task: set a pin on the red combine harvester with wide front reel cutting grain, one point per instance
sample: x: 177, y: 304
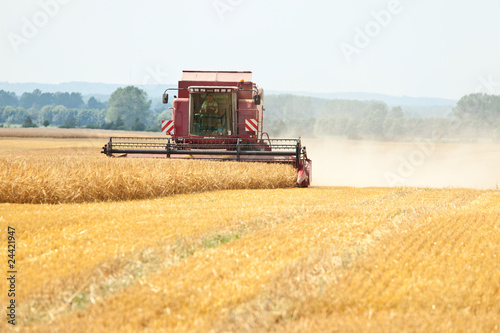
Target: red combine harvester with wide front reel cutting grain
x: 218, y: 116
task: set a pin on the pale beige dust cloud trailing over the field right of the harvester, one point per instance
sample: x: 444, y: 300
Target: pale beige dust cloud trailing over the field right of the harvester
x: 422, y: 164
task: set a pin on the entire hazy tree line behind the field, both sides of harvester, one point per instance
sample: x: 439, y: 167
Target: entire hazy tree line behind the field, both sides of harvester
x: 129, y: 108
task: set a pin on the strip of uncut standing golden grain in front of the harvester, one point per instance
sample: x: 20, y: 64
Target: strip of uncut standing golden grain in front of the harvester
x: 52, y: 178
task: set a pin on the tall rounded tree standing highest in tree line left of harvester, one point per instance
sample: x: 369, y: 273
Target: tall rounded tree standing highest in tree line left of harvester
x: 128, y: 103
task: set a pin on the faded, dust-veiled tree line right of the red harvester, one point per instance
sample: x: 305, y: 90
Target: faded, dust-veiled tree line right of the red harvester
x: 475, y: 116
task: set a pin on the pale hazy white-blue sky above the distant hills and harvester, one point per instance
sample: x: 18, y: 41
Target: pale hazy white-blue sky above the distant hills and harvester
x: 399, y: 47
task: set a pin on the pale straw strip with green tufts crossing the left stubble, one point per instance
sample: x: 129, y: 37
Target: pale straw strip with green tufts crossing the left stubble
x: 84, y: 288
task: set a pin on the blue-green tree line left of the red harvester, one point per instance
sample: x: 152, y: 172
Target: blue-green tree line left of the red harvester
x: 126, y: 109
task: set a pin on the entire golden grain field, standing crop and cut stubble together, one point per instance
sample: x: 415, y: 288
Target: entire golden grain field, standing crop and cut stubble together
x: 274, y: 258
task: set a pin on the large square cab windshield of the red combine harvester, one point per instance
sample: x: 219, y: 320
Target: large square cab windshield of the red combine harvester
x: 210, y: 114
